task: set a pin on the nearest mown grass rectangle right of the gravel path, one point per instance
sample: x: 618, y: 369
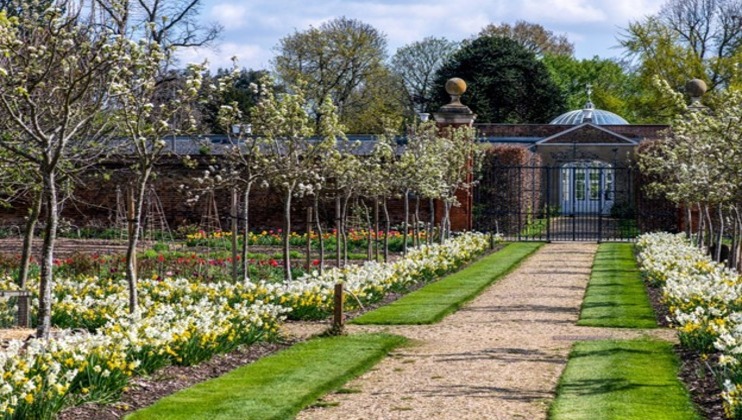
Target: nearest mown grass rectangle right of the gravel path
x: 622, y: 380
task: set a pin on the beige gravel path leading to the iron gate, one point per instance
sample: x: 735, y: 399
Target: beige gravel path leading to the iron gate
x: 498, y: 358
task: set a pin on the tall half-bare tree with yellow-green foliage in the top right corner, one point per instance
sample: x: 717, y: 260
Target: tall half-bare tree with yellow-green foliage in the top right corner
x: 686, y: 39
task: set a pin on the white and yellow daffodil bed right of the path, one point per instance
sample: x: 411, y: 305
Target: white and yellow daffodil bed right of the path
x: 705, y: 303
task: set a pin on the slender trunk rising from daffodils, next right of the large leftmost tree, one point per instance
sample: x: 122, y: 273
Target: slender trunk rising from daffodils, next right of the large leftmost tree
x: 136, y: 203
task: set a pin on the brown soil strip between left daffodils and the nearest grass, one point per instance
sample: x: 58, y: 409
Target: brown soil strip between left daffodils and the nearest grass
x: 145, y: 391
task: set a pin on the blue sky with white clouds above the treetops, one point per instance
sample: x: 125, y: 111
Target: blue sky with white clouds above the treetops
x: 253, y: 28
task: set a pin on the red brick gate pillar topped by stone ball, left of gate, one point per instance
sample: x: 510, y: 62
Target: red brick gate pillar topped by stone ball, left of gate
x: 454, y: 115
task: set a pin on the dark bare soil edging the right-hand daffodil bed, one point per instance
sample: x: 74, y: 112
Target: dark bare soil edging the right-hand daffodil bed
x: 694, y: 370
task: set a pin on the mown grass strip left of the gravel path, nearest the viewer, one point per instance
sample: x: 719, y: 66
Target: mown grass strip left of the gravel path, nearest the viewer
x: 277, y: 386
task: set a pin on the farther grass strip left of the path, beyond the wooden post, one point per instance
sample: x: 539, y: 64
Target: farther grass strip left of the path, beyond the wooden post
x: 436, y: 300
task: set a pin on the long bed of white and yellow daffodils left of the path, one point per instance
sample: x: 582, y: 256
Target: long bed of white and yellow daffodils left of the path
x: 183, y: 322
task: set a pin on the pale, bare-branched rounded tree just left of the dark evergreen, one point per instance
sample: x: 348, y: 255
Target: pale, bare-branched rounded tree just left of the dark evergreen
x: 417, y: 64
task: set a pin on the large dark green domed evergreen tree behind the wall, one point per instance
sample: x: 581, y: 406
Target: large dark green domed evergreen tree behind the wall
x: 506, y: 82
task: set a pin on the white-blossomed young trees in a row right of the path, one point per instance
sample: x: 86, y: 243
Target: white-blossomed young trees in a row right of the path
x: 699, y: 166
